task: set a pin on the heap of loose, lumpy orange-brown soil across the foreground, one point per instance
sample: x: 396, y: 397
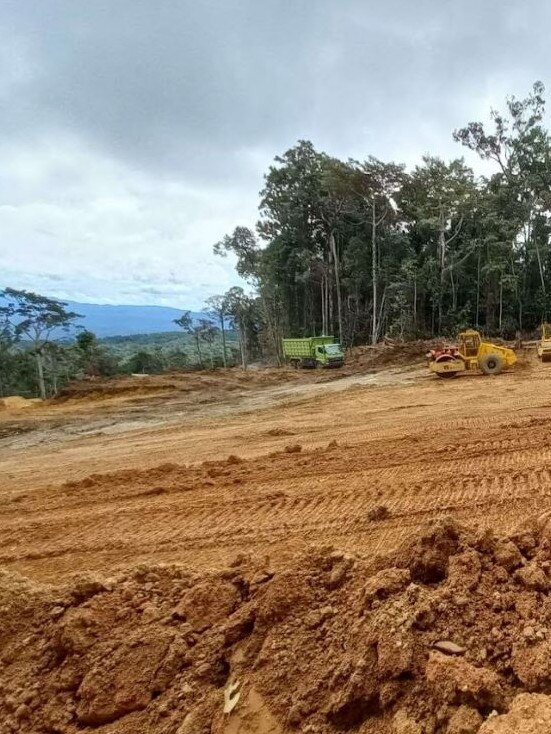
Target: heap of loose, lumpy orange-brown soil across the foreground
x: 448, y: 635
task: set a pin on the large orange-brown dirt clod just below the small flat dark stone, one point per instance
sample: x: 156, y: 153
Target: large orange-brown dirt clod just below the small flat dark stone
x: 455, y: 681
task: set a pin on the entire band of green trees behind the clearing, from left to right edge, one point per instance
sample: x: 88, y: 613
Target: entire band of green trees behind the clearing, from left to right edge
x: 356, y: 249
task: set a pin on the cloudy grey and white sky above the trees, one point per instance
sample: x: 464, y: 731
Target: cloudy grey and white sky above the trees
x: 134, y: 134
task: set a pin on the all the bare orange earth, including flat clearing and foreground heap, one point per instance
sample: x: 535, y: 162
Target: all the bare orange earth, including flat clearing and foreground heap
x: 275, y: 551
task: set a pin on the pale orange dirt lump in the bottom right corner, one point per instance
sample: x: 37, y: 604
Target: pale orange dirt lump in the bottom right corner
x: 530, y: 713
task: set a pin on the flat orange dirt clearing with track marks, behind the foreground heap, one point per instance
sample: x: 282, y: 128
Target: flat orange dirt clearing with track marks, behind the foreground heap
x: 308, y: 464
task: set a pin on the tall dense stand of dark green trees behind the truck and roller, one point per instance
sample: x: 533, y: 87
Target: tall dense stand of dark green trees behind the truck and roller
x: 362, y: 249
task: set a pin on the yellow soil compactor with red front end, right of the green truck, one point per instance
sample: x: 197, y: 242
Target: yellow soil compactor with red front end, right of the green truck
x: 471, y: 354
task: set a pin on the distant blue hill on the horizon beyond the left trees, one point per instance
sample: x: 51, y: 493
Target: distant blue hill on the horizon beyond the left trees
x: 106, y: 320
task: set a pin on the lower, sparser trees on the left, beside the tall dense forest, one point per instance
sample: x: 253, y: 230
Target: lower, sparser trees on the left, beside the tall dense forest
x: 42, y: 348
